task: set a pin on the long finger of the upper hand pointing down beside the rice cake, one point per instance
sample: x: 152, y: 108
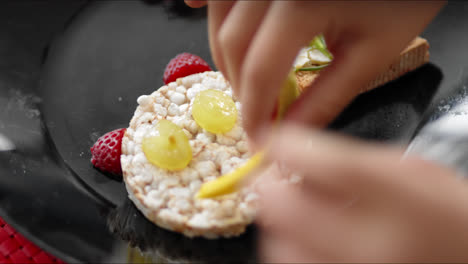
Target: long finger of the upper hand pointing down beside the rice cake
x: 269, y: 59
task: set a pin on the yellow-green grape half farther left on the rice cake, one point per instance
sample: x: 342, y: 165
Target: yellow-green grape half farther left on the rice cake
x: 169, y: 149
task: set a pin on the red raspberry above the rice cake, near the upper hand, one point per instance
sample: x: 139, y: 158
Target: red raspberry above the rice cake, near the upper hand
x: 183, y: 65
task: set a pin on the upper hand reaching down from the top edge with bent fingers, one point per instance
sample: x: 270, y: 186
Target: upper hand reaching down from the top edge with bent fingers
x: 254, y: 44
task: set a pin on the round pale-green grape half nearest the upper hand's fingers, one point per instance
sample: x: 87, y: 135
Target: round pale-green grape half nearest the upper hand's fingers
x: 214, y: 111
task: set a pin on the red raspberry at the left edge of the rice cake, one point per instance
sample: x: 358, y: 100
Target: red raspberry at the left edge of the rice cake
x: 106, y: 152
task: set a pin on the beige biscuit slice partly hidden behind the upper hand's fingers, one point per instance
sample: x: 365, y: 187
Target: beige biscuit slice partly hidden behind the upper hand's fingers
x: 412, y: 57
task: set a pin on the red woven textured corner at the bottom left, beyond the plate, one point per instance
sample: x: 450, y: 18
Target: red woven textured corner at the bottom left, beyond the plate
x: 15, y: 248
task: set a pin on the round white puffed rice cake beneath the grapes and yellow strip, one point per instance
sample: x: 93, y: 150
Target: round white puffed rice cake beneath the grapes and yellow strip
x: 167, y: 197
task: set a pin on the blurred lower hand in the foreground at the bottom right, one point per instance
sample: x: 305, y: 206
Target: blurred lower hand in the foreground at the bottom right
x: 361, y: 203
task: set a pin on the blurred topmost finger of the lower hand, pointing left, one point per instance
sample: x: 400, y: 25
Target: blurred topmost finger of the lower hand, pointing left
x: 334, y: 161
